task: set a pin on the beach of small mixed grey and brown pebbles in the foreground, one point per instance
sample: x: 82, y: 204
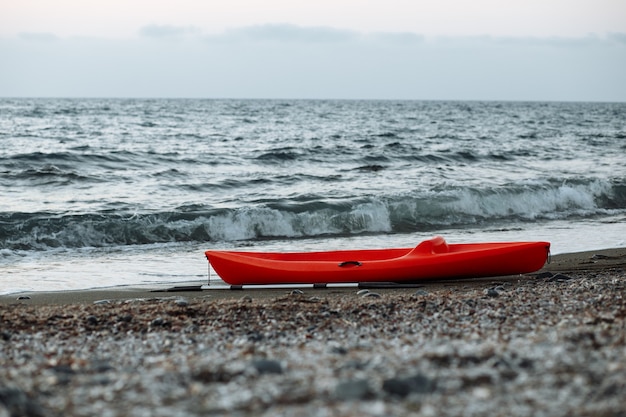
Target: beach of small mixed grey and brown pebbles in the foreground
x: 545, y: 344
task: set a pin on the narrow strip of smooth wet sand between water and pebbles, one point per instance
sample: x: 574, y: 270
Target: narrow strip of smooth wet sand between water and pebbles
x: 561, y: 263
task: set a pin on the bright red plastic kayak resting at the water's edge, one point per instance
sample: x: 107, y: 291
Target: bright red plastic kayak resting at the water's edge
x: 431, y: 259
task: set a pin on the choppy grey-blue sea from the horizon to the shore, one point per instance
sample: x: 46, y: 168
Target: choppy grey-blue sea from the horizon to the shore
x: 130, y: 192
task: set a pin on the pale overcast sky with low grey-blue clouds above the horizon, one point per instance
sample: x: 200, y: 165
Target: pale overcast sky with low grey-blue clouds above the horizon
x: 573, y: 50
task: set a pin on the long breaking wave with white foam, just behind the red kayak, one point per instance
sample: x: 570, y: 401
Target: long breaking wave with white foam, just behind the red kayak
x: 426, y: 211
